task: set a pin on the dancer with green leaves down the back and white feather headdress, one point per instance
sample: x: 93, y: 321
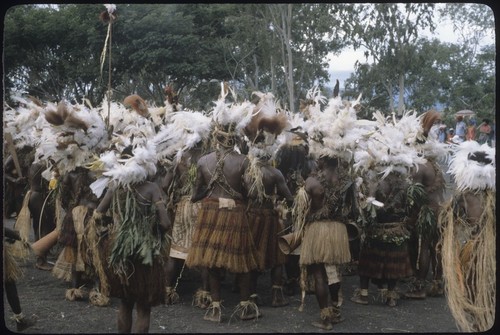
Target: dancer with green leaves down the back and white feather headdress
x: 129, y: 252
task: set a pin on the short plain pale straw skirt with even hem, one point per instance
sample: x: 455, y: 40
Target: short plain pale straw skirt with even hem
x: 325, y: 242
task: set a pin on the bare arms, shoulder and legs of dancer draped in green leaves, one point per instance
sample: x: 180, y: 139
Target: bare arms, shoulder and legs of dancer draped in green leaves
x: 151, y: 193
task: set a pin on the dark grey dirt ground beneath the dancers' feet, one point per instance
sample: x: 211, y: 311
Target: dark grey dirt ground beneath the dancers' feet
x: 42, y: 297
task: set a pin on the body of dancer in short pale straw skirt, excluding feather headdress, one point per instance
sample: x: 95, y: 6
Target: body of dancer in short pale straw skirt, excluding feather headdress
x: 325, y: 240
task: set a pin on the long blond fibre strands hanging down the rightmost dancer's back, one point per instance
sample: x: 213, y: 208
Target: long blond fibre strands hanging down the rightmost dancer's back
x: 469, y: 264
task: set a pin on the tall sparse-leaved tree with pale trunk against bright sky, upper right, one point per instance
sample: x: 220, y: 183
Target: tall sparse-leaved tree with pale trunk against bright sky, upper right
x: 389, y: 33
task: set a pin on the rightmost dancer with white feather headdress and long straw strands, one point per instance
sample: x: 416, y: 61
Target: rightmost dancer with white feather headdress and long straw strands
x: 468, y: 223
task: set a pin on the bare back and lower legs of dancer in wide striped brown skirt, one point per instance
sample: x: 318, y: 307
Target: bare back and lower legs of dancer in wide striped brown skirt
x: 235, y: 165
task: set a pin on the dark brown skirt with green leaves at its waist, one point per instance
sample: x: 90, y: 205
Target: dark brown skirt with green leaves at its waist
x: 385, y: 260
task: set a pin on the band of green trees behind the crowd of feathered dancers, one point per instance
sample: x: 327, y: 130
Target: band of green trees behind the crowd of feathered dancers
x: 54, y: 52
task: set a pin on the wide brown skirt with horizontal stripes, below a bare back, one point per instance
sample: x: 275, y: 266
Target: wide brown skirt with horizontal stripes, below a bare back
x: 222, y: 239
